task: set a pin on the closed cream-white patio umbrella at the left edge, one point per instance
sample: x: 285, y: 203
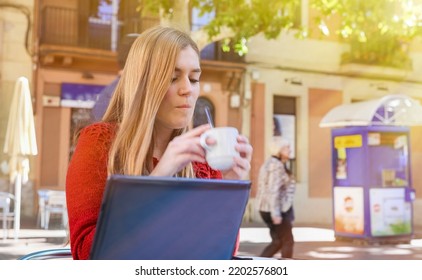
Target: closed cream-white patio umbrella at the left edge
x: 20, y: 142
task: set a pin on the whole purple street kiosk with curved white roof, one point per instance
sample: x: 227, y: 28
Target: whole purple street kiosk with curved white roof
x: 372, y: 184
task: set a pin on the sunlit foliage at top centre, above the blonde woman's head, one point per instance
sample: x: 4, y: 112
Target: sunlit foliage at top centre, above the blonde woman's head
x: 234, y: 21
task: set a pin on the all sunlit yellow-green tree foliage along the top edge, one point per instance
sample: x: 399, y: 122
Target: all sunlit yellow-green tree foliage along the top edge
x: 378, y: 31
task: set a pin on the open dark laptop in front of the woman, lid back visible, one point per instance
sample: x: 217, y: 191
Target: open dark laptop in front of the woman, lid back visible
x: 167, y: 218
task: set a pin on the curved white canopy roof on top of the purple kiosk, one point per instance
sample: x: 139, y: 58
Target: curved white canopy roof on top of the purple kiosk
x: 396, y: 110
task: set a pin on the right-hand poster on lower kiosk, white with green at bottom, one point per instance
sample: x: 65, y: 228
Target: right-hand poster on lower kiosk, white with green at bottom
x: 390, y: 213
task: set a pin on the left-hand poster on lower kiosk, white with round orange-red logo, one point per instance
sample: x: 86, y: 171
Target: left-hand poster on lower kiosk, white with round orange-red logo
x: 348, y: 210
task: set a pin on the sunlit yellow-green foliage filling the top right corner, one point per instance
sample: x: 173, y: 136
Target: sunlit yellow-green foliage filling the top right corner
x: 379, y: 31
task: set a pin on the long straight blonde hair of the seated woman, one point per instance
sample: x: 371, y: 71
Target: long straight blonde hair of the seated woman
x: 144, y: 82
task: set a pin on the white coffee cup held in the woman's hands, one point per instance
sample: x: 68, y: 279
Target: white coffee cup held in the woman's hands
x: 220, y: 155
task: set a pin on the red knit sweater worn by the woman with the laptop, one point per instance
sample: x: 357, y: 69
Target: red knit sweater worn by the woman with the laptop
x: 85, y: 182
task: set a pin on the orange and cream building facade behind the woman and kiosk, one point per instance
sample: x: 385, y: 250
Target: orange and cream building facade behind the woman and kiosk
x: 67, y: 50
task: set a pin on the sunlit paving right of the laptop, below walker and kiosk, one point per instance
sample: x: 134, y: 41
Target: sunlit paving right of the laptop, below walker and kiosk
x: 318, y: 242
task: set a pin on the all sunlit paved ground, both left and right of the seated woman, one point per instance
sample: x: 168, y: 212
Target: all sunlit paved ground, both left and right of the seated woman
x: 311, y: 242
